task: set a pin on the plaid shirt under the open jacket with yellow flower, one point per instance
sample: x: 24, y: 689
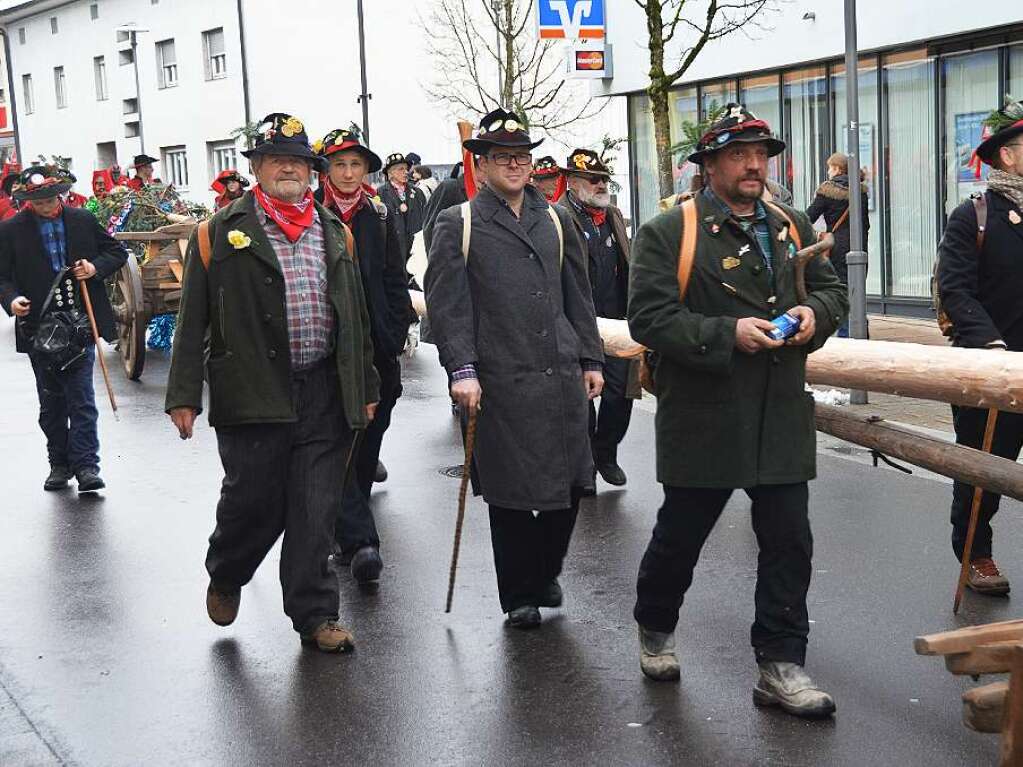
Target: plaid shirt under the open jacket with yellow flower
x: 310, y: 317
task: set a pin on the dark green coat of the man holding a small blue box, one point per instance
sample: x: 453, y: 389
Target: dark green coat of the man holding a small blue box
x: 727, y: 420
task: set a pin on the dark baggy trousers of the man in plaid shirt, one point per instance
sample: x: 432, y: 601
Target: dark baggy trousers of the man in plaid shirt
x: 285, y: 478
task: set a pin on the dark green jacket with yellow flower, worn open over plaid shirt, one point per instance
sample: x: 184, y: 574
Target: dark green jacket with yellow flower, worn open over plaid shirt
x: 233, y: 327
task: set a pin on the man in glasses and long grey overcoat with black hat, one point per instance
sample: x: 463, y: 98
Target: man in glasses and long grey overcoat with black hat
x: 515, y: 327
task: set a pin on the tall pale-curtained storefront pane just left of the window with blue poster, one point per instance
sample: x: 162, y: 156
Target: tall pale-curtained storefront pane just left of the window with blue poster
x: 910, y: 95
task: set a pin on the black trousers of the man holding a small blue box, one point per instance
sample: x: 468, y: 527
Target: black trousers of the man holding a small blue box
x: 783, y: 530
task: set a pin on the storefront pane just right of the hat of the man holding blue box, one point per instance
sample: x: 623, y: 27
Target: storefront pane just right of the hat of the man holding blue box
x: 807, y: 125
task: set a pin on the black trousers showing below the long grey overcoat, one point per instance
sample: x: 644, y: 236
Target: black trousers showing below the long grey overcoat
x: 529, y: 551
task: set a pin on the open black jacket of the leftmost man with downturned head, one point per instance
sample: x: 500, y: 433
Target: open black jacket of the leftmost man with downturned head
x: 25, y: 266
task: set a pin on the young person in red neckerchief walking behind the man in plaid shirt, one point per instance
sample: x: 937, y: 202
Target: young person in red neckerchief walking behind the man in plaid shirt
x: 344, y: 193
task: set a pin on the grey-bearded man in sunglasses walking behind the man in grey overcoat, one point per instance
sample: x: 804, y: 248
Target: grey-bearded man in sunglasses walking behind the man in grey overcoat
x: 603, y: 228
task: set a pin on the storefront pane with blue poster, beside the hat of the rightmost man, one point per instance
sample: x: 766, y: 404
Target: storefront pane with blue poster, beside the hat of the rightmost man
x: 971, y: 93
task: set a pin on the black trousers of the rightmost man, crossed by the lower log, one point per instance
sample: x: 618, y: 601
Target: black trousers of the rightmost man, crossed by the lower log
x: 1008, y: 440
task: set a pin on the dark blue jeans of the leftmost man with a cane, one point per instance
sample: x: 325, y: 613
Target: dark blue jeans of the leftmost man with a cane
x: 68, y: 413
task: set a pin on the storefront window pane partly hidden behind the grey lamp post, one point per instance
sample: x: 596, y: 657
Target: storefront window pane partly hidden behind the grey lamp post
x: 869, y: 142
